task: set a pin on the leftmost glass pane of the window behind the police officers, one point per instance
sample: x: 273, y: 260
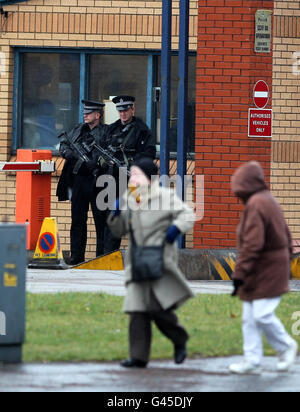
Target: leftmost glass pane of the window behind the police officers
x: 50, y: 98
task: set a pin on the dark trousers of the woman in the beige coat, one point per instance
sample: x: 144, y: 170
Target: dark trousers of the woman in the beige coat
x: 140, y: 332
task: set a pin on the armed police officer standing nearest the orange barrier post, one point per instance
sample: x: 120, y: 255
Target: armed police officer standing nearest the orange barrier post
x: 79, y: 175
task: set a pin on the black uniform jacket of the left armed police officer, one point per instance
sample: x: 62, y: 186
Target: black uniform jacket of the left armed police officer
x: 79, y: 132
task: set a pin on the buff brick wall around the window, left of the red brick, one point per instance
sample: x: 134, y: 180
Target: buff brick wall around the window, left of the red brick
x: 79, y: 24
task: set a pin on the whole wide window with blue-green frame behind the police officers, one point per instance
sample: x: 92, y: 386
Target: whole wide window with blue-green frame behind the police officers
x: 50, y: 84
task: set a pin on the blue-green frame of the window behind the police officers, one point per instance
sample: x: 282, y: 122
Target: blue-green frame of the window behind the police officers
x: 84, y: 53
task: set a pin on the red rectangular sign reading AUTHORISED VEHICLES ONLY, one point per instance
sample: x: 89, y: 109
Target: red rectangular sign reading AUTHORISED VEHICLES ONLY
x: 260, y: 123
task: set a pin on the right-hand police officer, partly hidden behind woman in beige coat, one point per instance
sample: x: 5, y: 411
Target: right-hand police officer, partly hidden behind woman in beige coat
x: 129, y: 139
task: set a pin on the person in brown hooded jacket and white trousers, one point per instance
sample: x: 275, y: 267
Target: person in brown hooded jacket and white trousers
x: 262, y: 272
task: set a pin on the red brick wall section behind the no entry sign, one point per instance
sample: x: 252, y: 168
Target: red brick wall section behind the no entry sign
x: 227, y: 70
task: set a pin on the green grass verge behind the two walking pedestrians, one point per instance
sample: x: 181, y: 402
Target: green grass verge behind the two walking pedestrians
x: 92, y: 327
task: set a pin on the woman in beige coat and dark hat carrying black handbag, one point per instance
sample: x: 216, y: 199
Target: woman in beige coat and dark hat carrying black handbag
x: 155, y: 217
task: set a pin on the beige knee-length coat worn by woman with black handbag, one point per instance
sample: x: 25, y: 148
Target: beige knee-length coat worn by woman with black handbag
x: 151, y: 219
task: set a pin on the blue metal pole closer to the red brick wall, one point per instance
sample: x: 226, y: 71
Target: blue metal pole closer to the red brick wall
x: 183, y: 71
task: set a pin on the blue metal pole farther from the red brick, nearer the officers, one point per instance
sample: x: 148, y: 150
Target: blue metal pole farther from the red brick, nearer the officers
x: 166, y: 86
